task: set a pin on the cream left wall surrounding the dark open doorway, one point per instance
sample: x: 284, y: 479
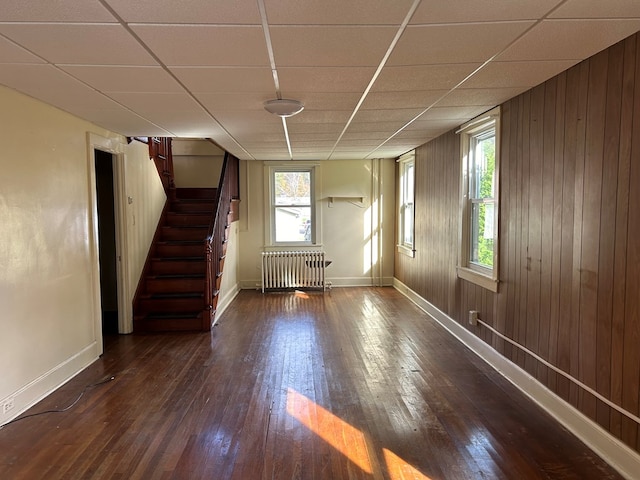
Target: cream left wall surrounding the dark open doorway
x: 47, y: 248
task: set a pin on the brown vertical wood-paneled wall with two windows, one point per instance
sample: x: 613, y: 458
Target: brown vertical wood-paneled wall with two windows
x: 569, y: 235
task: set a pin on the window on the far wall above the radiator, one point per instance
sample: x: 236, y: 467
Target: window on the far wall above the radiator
x: 292, y: 212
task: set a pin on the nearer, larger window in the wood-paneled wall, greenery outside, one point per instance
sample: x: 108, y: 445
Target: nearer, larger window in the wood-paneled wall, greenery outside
x: 479, y: 239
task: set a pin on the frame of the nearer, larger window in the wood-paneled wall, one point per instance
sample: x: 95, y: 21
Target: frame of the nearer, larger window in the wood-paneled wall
x: 470, y: 134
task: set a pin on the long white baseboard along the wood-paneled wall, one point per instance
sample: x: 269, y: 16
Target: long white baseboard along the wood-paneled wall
x: 625, y: 460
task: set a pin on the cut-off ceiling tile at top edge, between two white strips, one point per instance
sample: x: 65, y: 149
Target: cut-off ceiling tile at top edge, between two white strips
x: 337, y: 12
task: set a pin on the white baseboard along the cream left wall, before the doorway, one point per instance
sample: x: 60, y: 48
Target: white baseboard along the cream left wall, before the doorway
x: 39, y: 388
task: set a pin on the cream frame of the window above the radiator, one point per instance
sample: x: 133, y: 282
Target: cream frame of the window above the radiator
x: 270, y: 204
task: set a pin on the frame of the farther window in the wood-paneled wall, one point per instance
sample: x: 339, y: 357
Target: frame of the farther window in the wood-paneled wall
x: 406, y: 161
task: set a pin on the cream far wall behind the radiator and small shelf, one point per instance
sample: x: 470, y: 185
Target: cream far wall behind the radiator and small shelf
x: 354, y: 233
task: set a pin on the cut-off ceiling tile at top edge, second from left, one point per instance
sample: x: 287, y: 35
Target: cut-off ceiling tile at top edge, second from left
x: 238, y: 12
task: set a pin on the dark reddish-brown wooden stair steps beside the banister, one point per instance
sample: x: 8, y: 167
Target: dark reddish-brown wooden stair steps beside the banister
x: 172, y: 295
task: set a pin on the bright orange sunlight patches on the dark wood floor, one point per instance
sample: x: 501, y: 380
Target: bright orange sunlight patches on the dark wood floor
x: 345, y: 438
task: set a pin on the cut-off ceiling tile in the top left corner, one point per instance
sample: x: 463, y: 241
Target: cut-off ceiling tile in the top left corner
x: 54, y: 11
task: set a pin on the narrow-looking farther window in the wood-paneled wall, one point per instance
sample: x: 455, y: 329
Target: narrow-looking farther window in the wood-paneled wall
x: 406, y: 214
